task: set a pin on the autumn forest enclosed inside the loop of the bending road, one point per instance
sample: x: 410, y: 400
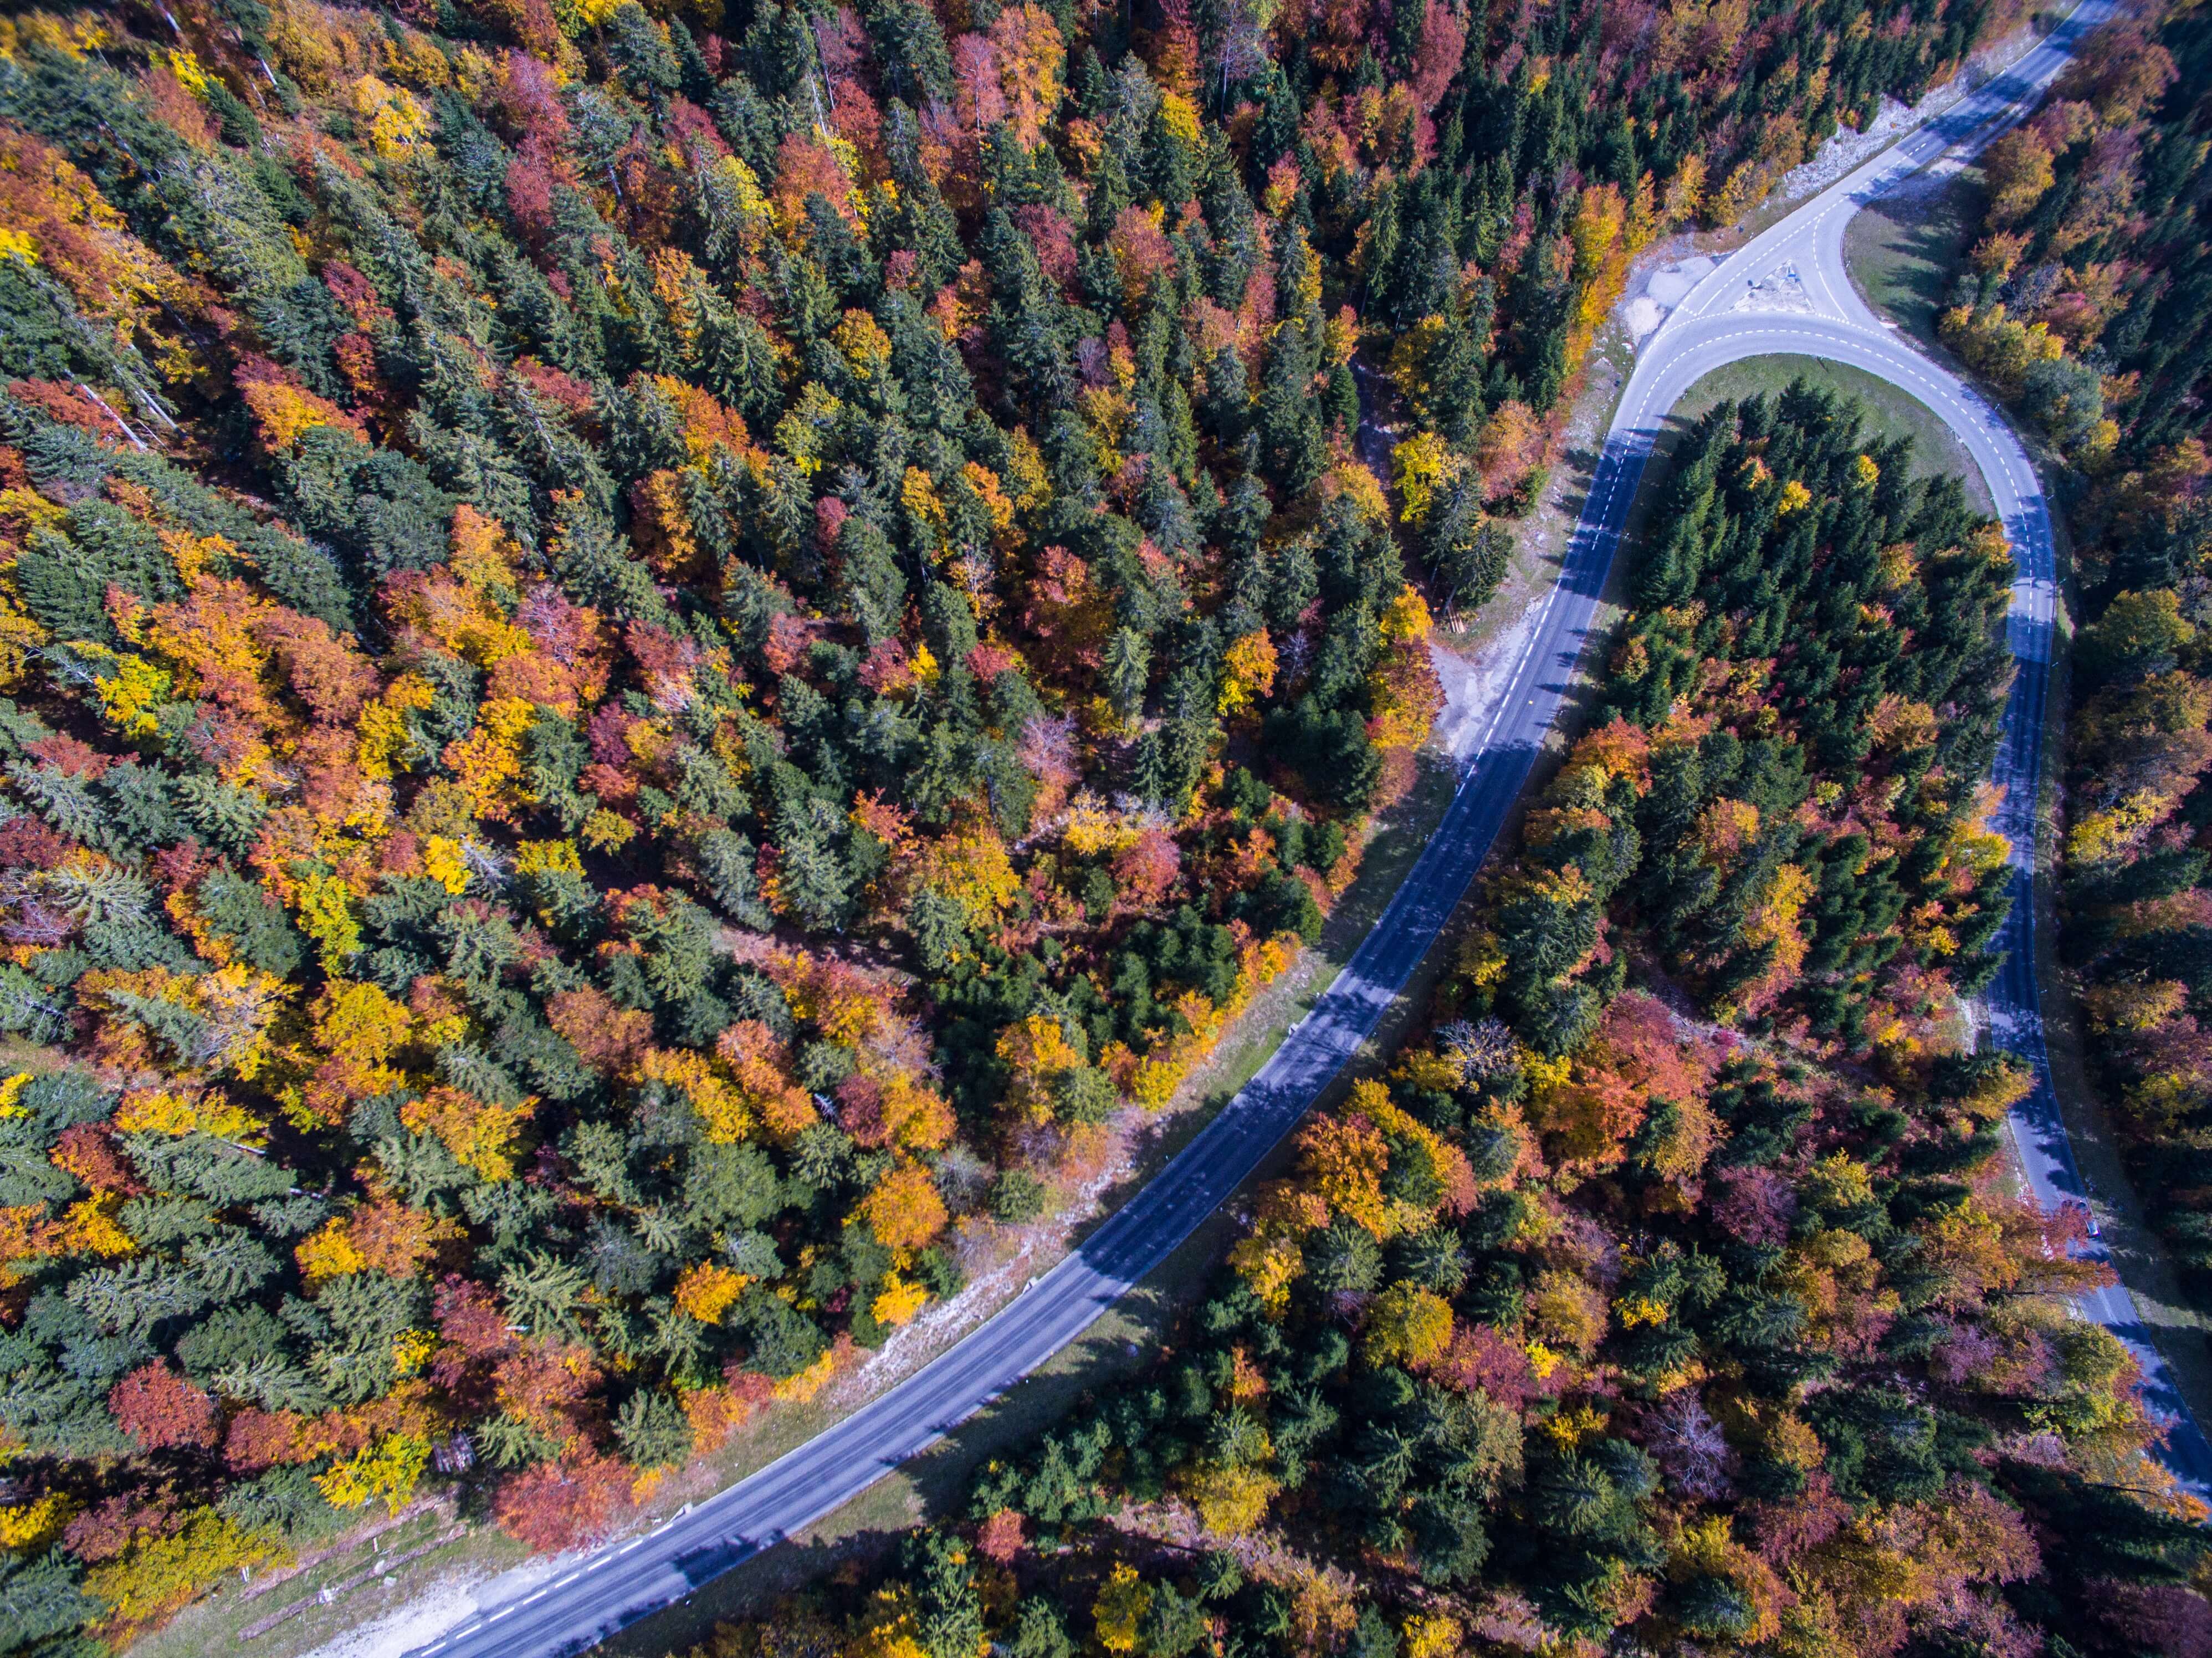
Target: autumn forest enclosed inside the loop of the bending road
x: 1667, y: 1294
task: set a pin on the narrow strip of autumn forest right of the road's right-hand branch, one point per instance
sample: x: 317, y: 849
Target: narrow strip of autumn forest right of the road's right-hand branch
x: 2089, y: 300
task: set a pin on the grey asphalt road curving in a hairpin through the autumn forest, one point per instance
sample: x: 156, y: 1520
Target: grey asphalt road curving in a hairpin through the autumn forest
x: 1784, y: 293
